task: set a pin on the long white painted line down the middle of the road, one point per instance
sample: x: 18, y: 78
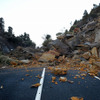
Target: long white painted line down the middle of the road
x: 39, y: 91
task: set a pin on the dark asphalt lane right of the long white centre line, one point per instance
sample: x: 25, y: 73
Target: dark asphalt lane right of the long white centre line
x: 89, y: 88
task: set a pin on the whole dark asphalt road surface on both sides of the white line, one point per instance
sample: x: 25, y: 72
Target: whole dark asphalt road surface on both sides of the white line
x: 16, y: 89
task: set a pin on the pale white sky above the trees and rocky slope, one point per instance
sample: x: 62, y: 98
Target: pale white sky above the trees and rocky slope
x: 41, y: 17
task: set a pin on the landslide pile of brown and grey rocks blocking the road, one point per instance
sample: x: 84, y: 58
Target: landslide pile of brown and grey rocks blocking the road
x: 79, y: 49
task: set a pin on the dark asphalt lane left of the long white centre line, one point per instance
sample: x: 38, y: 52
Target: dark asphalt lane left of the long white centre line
x: 14, y: 87
